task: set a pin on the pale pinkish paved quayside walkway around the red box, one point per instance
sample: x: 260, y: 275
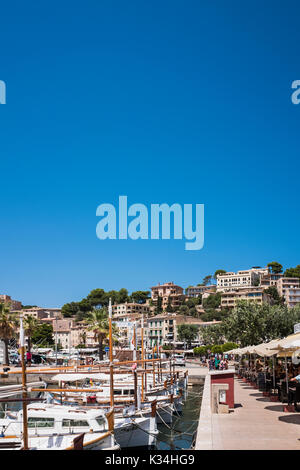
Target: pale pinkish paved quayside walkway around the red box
x: 255, y: 423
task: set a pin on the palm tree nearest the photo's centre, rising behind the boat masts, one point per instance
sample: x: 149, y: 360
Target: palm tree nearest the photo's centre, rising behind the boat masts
x: 98, y: 322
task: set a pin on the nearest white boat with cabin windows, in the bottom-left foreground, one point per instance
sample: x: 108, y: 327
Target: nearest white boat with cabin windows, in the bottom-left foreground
x: 52, y: 427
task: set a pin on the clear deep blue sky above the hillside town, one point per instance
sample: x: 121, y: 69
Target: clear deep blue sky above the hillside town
x: 162, y: 101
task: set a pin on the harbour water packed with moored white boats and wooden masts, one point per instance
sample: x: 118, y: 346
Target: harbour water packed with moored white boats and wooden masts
x: 107, y: 406
